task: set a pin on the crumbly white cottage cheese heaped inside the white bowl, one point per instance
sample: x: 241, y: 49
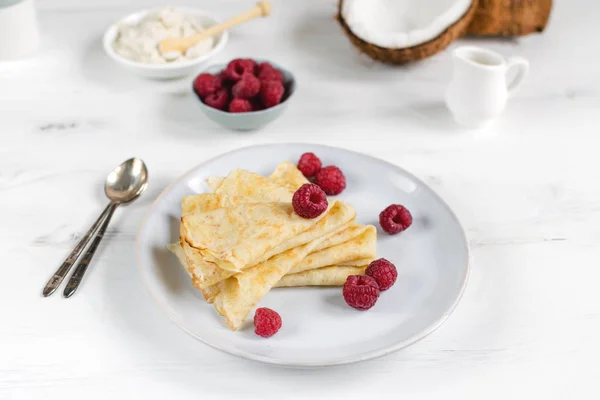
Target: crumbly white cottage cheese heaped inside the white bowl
x: 139, y: 42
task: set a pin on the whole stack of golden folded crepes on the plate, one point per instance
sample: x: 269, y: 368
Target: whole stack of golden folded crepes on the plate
x: 244, y: 238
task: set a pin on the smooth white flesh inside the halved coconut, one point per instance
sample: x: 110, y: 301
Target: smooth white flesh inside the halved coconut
x: 398, y: 24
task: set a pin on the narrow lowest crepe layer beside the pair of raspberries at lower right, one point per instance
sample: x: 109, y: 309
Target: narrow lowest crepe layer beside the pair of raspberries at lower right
x: 334, y: 275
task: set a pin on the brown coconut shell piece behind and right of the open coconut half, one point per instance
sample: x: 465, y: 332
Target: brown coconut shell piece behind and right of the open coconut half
x: 510, y: 17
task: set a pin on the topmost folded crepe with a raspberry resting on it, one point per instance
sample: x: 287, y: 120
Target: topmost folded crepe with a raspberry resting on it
x: 236, y: 237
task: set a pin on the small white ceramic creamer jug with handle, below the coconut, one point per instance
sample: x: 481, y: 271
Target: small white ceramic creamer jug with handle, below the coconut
x: 479, y: 89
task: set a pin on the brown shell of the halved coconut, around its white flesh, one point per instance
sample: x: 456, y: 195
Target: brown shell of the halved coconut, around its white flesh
x: 414, y: 53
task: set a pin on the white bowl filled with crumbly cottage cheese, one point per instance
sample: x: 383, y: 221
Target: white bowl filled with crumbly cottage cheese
x: 133, y: 42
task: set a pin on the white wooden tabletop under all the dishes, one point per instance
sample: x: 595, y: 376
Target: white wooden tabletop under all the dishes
x: 527, y: 190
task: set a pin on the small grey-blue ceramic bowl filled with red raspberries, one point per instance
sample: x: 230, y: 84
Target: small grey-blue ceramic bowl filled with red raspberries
x: 244, y: 94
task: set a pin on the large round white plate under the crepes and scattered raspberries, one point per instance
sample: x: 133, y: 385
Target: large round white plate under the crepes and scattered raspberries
x: 319, y: 329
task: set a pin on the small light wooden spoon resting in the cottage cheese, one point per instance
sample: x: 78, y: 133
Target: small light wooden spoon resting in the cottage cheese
x: 262, y: 9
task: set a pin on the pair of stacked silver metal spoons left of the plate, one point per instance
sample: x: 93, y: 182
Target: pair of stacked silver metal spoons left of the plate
x: 124, y: 184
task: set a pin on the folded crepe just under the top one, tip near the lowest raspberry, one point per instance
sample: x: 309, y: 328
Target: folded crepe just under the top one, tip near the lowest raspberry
x: 241, y: 292
